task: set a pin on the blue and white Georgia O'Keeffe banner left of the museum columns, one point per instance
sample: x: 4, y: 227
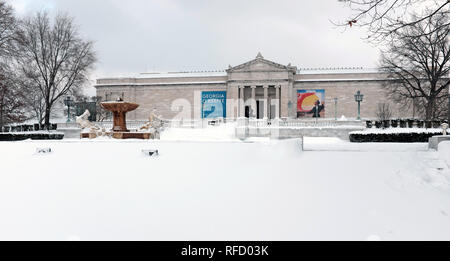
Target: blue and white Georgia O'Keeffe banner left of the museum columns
x: 214, y: 104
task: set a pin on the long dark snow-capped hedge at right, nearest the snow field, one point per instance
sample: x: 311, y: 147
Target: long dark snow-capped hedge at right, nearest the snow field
x: 391, y: 137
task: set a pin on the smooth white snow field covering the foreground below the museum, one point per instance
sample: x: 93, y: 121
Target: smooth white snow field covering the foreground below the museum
x: 223, y: 190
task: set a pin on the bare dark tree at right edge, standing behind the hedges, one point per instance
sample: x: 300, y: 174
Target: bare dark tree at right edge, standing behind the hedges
x: 417, y: 64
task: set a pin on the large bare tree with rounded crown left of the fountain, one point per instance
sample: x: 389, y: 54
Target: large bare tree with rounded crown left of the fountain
x: 53, y: 57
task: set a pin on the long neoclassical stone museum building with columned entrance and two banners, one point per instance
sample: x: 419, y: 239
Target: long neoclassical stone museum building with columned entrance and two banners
x: 258, y: 89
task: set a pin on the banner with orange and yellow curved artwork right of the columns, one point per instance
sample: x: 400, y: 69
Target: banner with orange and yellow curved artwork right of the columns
x: 310, y: 103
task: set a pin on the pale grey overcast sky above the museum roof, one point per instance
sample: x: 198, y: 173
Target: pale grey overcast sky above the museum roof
x: 171, y: 35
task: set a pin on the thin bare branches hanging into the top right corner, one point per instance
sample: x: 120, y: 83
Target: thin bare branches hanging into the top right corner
x: 385, y: 17
